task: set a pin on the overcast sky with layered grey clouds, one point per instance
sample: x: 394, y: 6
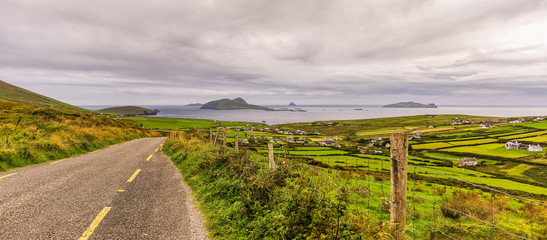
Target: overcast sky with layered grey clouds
x: 105, y: 52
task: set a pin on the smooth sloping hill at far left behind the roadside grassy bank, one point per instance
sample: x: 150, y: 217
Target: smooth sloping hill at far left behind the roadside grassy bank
x: 11, y: 93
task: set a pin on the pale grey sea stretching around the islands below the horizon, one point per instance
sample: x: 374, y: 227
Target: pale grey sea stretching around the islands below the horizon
x: 310, y: 113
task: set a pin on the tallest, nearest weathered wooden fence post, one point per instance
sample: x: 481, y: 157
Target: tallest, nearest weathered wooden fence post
x: 399, y: 159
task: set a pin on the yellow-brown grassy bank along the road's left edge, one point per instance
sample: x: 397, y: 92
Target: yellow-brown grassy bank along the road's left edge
x: 34, y: 134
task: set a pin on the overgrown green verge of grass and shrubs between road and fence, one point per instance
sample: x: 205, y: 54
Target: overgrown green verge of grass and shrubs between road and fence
x: 242, y: 199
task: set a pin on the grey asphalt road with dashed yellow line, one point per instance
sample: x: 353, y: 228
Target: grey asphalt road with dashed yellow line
x: 126, y: 191
